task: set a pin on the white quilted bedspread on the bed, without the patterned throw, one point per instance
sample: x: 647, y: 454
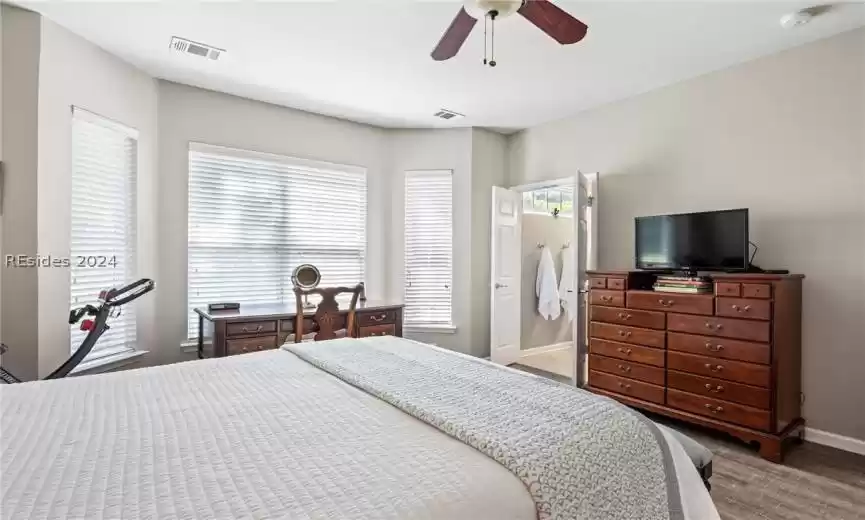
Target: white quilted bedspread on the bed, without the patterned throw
x: 263, y: 435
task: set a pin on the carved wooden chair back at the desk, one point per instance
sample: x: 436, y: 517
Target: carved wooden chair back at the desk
x: 327, y: 322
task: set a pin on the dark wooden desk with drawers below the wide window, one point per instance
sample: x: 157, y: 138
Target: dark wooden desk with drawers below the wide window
x: 261, y: 327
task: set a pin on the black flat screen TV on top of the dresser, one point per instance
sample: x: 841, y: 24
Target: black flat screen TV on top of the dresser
x: 707, y: 241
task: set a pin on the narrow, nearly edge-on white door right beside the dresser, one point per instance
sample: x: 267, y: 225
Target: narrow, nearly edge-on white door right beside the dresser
x: 586, y: 258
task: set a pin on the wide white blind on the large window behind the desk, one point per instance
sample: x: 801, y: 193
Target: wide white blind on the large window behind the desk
x: 254, y: 217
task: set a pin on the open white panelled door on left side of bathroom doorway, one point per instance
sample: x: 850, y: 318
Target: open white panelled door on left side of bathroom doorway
x: 505, y: 276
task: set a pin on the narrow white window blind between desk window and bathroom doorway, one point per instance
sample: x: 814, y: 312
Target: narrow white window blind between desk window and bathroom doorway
x: 428, y: 247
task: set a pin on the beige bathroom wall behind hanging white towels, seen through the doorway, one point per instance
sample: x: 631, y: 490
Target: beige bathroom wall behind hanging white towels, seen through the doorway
x: 535, y: 331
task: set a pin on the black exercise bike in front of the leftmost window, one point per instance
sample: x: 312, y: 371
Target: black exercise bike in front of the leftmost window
x: 109, y: 306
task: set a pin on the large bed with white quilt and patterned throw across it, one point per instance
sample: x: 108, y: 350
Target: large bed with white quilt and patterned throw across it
x: 373, y: 428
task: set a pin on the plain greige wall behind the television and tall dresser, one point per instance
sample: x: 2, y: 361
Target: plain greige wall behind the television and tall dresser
x: 783, y: 136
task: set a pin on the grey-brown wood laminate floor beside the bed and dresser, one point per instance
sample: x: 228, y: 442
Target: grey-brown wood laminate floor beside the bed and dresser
x: 814, y: 483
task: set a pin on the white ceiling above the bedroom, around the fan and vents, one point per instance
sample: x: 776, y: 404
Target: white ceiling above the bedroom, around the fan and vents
x: 369, y: 61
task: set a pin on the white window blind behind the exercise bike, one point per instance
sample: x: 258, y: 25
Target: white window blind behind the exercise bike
x: 103, y: 222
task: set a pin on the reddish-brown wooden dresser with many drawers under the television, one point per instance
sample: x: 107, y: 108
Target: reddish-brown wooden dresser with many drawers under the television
x: 730, y: 360
